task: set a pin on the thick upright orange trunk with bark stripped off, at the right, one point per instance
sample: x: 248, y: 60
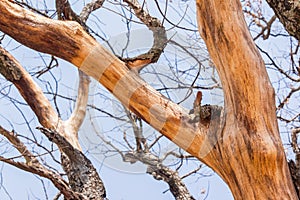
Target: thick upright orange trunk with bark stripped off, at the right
x: 250, y: 156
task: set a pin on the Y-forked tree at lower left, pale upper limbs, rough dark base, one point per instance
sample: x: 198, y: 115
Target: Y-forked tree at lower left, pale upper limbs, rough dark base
x: 84, y: 181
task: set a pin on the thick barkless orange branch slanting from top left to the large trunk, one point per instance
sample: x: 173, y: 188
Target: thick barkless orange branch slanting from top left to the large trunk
x: 69, y: 41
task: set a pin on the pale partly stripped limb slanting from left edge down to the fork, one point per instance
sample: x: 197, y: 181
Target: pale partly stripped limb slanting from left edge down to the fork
x: 11, y: 69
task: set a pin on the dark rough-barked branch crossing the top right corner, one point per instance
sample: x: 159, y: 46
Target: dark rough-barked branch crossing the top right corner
x: 288, y: 12
